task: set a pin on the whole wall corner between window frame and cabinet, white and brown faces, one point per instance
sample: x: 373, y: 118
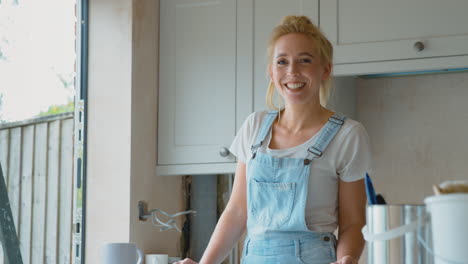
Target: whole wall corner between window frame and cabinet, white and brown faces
x: 122, y: 125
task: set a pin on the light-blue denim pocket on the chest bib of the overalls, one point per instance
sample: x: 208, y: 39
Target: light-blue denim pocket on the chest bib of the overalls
x: 271, y: 203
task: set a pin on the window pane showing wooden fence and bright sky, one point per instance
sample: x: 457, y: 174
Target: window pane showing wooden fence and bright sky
x: 37, y: 90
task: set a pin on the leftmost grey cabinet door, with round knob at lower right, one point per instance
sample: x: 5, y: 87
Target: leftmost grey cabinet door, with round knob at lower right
x: 197, y: 78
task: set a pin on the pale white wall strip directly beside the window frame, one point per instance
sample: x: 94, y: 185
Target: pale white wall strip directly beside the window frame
x: 109, y: 130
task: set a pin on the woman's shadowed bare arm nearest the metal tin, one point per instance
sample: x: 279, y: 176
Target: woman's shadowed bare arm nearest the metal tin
x: 351, y: 219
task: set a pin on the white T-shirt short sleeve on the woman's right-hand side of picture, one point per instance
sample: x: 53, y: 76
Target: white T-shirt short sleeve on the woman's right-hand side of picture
x: 355, y: 155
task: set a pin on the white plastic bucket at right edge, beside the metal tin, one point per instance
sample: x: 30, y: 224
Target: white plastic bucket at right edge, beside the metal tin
x: 449, y: 217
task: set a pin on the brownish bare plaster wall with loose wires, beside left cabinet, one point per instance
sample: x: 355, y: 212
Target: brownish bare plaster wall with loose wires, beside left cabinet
x: 165, y: 193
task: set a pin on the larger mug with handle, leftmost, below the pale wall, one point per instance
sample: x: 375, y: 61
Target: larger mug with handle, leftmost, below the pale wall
x: 122, y: 253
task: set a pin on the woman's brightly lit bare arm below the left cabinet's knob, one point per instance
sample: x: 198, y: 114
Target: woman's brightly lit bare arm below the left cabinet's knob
x: 231, y: 224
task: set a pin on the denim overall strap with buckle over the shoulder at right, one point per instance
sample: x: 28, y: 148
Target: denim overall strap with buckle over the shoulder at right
x: 326, y: 136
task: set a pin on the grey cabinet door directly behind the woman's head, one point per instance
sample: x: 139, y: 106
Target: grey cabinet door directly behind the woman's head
x: 266, y: 15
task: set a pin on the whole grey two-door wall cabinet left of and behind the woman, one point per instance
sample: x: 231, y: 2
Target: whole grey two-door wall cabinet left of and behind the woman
x: 212, y: 75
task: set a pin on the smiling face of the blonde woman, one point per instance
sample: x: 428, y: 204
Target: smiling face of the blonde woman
x: 297, y: 70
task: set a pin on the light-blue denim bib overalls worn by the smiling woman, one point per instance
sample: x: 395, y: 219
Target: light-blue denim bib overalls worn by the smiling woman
x: 276, y: 199
